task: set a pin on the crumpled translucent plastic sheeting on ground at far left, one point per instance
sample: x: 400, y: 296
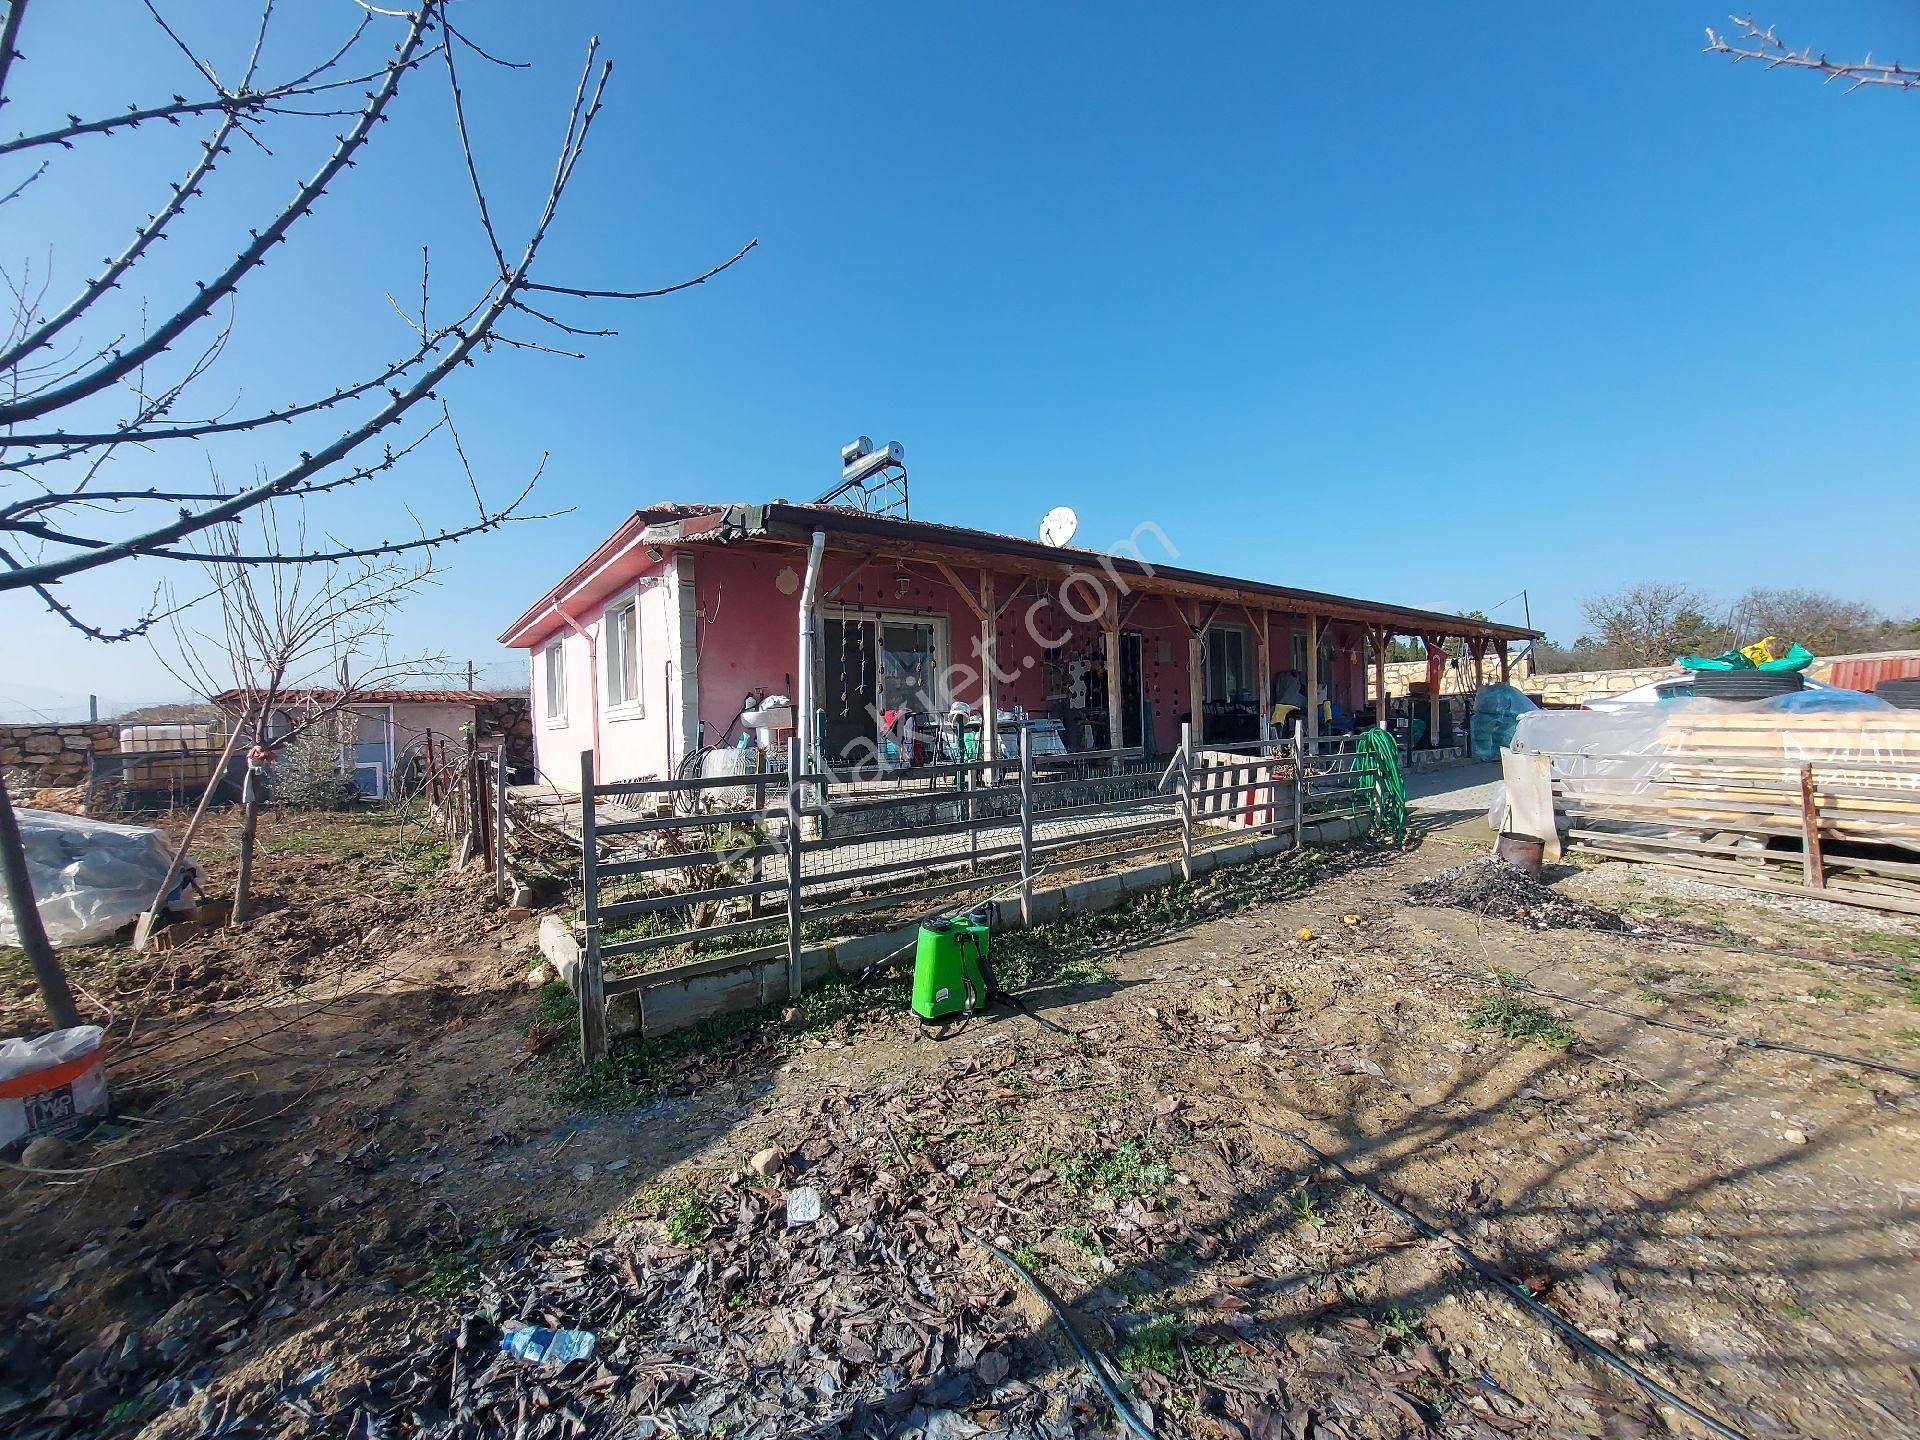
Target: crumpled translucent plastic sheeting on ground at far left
x: 89, y: 876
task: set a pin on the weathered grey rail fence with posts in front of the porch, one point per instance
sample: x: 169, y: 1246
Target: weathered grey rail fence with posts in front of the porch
x: 746, y: 863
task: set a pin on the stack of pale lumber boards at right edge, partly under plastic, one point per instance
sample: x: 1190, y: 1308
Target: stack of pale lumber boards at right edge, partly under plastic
x: 1819, y: 800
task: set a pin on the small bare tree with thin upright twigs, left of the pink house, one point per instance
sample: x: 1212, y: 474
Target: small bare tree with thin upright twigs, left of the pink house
x: 295, y: 650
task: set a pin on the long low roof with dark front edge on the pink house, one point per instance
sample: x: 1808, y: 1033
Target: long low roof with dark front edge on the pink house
x: 857, y: 531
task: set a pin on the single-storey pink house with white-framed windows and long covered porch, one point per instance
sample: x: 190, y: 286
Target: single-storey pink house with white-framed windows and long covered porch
x: 654, y: 644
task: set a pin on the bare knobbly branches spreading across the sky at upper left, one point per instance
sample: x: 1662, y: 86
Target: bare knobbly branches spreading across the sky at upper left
x: 49, y: 373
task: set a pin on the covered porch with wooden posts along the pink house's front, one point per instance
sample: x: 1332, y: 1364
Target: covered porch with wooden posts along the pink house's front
x: 1092, y: 652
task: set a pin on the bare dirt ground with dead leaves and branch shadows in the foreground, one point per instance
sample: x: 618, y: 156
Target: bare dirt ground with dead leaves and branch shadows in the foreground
x: 325, y: 1201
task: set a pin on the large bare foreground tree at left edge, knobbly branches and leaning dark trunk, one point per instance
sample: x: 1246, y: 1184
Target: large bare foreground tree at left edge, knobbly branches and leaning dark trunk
x: 97, y: 387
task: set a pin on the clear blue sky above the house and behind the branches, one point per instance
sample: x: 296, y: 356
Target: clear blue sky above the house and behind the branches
x: 1429, y: 304
